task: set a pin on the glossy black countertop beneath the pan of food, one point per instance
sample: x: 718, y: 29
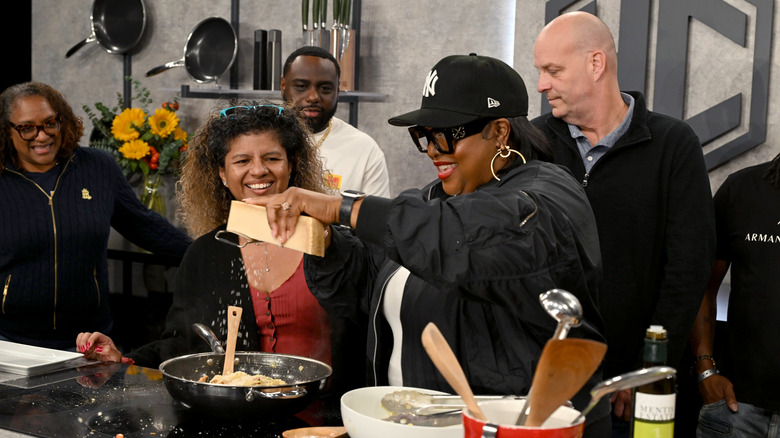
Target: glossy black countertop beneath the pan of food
x: 104, y: 400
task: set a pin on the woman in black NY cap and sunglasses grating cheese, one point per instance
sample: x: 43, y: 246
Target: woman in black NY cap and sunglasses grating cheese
x: 470, y: 252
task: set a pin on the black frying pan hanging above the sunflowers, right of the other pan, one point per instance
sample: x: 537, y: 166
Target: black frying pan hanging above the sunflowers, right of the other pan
x: 209, y: 52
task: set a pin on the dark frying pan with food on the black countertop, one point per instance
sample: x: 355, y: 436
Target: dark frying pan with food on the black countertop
x: 305, y: 377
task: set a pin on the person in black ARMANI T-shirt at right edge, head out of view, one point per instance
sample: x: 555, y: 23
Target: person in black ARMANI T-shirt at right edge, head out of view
x: 743, y: 396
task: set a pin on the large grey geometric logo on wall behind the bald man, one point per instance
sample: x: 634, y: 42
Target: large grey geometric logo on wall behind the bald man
x: 671, y: 61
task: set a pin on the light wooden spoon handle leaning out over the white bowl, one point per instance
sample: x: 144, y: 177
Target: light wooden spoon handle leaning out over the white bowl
x: 442, y: 356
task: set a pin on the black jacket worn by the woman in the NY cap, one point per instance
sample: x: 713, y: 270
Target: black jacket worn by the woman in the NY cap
x: 478, y: 264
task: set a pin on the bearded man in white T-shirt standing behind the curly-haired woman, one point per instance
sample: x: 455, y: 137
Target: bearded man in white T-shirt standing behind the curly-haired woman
x: 351, y: 157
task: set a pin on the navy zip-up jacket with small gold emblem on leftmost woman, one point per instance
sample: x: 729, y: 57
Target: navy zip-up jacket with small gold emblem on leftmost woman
x: 53, y: 247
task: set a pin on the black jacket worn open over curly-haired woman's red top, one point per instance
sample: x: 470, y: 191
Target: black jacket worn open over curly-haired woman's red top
x: 210, y: 278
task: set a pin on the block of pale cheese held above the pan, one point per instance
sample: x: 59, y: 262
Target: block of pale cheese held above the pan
x: 251, y: 221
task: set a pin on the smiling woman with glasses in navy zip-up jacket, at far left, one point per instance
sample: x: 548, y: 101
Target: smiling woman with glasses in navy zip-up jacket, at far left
x: 58, y: 202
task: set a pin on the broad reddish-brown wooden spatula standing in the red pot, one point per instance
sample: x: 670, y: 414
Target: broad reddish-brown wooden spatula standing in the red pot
x: 564, y: 367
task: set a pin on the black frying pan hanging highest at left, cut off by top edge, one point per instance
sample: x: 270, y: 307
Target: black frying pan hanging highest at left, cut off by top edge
x: 117, y: 25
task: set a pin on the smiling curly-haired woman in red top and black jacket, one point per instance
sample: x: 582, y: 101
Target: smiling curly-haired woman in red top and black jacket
x: 247, y: 151
